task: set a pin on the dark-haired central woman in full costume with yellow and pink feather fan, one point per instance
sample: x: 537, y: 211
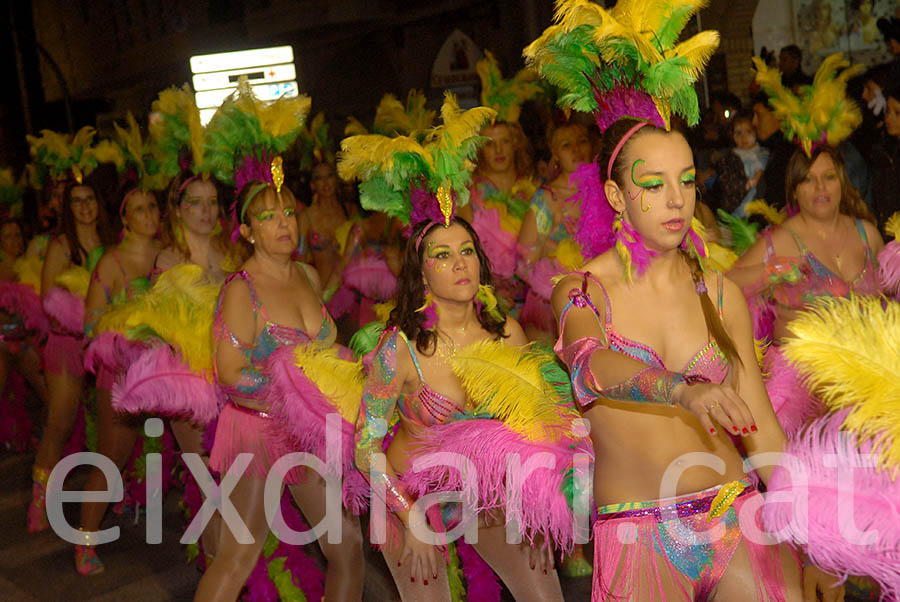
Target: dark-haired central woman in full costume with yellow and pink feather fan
x: 449, y: 371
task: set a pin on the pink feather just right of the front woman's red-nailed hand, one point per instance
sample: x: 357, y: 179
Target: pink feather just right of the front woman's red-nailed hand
x: 793, y: 404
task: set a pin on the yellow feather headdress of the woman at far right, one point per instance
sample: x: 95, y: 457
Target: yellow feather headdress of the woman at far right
x: 820, y: 113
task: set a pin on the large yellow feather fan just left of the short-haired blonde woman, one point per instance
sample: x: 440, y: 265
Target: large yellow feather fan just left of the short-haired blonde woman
x: 178, y: 308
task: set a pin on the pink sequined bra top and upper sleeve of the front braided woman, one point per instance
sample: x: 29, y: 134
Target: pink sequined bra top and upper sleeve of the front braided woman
x: 709, y: 362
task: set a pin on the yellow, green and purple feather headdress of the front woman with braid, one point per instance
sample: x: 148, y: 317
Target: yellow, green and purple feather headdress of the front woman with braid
x: 624, y: 61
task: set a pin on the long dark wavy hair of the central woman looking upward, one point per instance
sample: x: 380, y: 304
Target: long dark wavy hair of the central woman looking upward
x: 411, y: 291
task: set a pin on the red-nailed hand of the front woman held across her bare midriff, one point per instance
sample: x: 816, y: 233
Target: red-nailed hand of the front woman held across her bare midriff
x: 709, y: 401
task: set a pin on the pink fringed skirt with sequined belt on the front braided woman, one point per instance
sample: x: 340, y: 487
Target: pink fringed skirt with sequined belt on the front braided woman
x: 671, y: 549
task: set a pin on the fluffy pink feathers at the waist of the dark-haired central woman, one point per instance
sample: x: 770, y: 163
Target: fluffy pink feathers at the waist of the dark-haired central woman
x: 487, y: 444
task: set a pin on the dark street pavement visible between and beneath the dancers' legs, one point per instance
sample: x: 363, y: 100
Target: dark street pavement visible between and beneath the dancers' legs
x: 39, y: 567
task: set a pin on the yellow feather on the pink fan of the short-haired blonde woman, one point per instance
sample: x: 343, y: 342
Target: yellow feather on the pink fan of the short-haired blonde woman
x: 339, y: 380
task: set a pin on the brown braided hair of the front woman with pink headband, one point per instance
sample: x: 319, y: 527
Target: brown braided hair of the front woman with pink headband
x: 620, y: 170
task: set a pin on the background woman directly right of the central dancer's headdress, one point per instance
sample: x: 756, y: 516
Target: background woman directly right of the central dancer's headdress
x: 502, y: 188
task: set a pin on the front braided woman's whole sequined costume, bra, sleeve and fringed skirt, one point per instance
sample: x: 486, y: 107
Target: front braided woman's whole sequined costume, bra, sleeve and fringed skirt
x: 636, y: 542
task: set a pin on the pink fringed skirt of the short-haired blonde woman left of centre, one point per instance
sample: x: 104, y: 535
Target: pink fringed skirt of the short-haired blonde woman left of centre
x: 243, y: 430
